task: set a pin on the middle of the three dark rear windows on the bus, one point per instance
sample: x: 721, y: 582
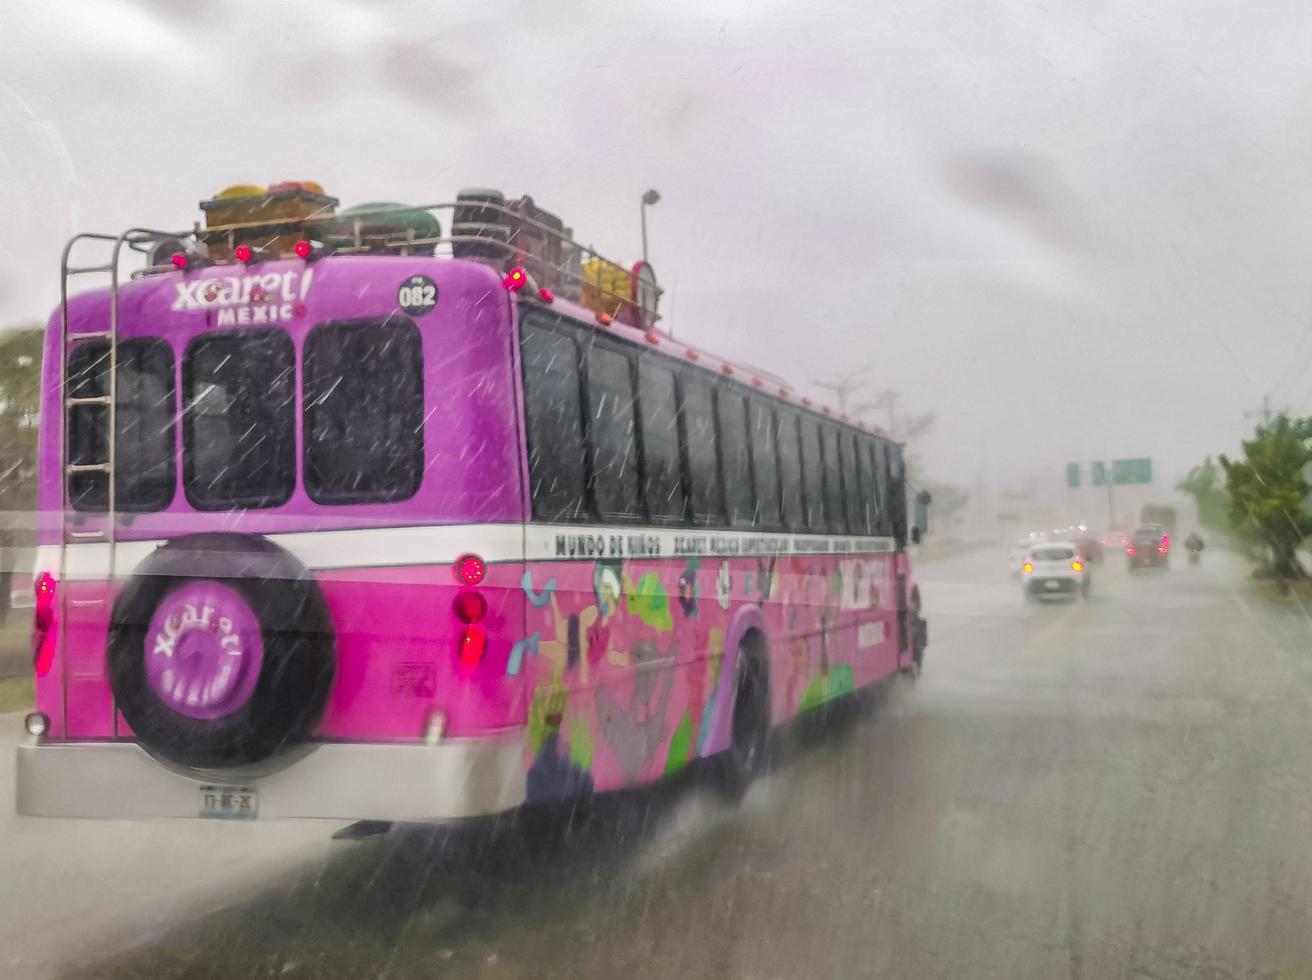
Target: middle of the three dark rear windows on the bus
x: 239, y: 420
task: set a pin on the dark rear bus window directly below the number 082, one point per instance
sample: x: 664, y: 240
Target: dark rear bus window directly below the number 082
x: 364, y: 411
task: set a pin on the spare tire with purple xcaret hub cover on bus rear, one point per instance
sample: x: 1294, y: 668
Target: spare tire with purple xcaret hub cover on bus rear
x: 221, y: 651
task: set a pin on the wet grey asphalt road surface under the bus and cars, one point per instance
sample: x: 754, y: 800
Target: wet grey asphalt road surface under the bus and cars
x: 1120, y: 788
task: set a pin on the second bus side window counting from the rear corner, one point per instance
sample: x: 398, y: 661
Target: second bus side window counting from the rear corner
x: 611, y: 435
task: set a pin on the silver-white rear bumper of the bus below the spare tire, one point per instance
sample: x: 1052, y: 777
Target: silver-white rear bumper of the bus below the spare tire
x: 339, y: 781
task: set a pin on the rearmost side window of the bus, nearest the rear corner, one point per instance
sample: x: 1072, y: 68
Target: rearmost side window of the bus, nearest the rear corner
x: 553, y: 410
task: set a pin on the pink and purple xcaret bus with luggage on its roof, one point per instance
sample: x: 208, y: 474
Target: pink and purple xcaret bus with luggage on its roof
x: 342, y: 516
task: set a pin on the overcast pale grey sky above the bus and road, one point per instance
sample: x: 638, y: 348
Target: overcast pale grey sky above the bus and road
x: 1071, y: 229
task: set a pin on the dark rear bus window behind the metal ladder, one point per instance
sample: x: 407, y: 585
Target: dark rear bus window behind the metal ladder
x: 145, y: 473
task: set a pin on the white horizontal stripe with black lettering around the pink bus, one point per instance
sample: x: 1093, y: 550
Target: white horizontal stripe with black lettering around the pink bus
x: 430, y: 545
